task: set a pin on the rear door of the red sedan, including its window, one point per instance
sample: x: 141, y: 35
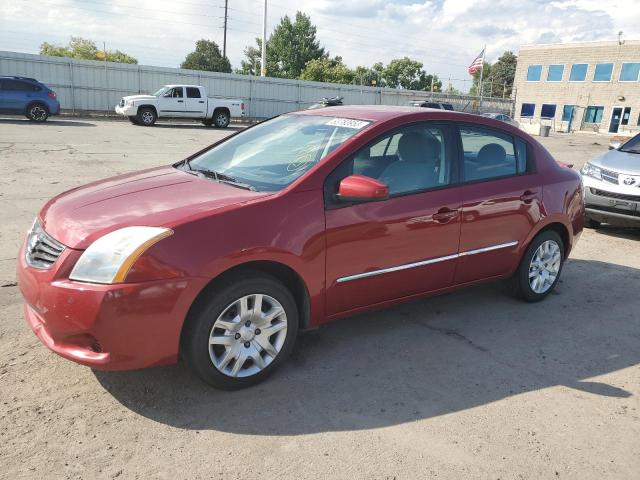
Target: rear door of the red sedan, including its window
x: 501, y: 201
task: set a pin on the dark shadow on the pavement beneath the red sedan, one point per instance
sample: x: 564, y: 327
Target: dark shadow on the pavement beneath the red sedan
x: 419, y: 360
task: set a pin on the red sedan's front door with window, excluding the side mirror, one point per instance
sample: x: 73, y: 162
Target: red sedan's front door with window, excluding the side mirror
x: 404, y: 245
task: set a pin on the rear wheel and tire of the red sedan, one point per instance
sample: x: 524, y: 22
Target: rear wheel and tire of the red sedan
x: 532, y: 283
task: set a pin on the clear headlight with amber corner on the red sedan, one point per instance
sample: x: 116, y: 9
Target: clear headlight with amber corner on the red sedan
x: 109, y: 259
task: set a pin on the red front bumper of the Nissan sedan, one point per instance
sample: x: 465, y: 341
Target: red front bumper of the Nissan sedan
x: 107, y: 327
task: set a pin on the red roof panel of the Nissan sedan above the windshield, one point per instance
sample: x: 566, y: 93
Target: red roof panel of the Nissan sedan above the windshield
x: 381, y: 113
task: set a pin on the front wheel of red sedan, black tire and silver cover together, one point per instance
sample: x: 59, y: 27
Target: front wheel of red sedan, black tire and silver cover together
x: 240, y: 337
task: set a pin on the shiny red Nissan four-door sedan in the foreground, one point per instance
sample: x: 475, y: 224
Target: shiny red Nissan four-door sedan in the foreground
x: 222, y: 258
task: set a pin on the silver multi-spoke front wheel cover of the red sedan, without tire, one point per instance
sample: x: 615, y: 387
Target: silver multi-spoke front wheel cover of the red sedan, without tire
x: 248, y: 335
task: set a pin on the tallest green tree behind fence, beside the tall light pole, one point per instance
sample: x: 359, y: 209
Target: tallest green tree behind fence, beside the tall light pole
x: 289, y: 48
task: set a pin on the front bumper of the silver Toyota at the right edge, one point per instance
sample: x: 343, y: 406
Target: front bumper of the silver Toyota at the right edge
x: 610, y: 203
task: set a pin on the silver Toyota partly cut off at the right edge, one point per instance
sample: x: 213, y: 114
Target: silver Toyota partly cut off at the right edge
x: 612, y: 186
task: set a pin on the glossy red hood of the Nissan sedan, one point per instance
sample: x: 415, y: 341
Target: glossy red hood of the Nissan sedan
x: 157, y: 197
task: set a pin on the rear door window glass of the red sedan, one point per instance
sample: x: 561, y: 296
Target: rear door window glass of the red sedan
x: 491, y: 154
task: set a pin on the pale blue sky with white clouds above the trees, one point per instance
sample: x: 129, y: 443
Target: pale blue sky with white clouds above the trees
x: 445, y: 35
